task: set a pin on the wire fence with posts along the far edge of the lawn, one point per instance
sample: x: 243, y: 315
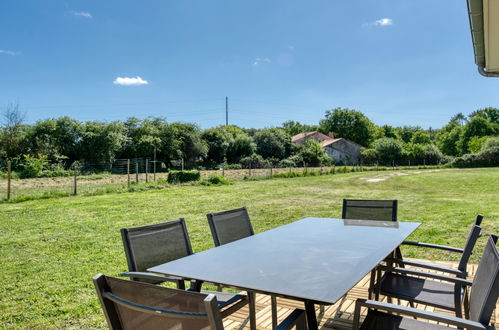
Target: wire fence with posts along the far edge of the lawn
x: 86, y: 178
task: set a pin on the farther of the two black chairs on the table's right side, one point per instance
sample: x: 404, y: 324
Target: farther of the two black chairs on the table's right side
x: 421, y: 287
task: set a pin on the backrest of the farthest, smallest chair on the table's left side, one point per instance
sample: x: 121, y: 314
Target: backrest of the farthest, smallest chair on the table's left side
x: 229, y: 226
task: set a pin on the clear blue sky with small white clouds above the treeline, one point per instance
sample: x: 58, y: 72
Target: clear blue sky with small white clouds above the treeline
x: 401, y: 62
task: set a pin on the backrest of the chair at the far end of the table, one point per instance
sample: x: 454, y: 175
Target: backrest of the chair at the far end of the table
x: 385, y: 210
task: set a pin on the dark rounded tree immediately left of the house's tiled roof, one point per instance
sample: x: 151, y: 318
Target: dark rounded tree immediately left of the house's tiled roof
x: 273, y: 143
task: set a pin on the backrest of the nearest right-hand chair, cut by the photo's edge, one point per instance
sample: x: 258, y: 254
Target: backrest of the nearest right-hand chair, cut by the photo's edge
x: 485, y: 288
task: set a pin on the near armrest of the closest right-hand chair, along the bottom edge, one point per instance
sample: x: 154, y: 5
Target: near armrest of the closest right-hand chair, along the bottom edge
x: 459, y: 322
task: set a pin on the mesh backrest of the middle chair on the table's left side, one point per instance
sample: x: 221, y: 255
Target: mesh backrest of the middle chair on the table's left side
x: 152, y: 245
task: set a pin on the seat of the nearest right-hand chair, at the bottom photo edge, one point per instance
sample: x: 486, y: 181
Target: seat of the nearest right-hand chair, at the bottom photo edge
x: 384, y: 321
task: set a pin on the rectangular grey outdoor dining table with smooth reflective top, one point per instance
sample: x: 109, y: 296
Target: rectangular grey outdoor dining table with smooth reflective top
x: 314, y: 260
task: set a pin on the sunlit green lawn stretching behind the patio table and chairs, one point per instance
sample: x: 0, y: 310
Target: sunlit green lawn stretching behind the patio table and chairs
x: 50, y: 249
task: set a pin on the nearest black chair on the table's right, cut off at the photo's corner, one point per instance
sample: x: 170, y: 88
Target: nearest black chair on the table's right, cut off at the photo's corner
x: 483, y: 298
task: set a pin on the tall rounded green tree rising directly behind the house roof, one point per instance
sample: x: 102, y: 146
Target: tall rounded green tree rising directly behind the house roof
x: 349, y: 124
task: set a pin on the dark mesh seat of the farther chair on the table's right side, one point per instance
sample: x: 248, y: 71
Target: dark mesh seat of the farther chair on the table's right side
x: 419, y: 290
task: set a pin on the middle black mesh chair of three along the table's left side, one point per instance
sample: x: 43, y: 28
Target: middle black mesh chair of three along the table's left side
x: 152, y: 245
